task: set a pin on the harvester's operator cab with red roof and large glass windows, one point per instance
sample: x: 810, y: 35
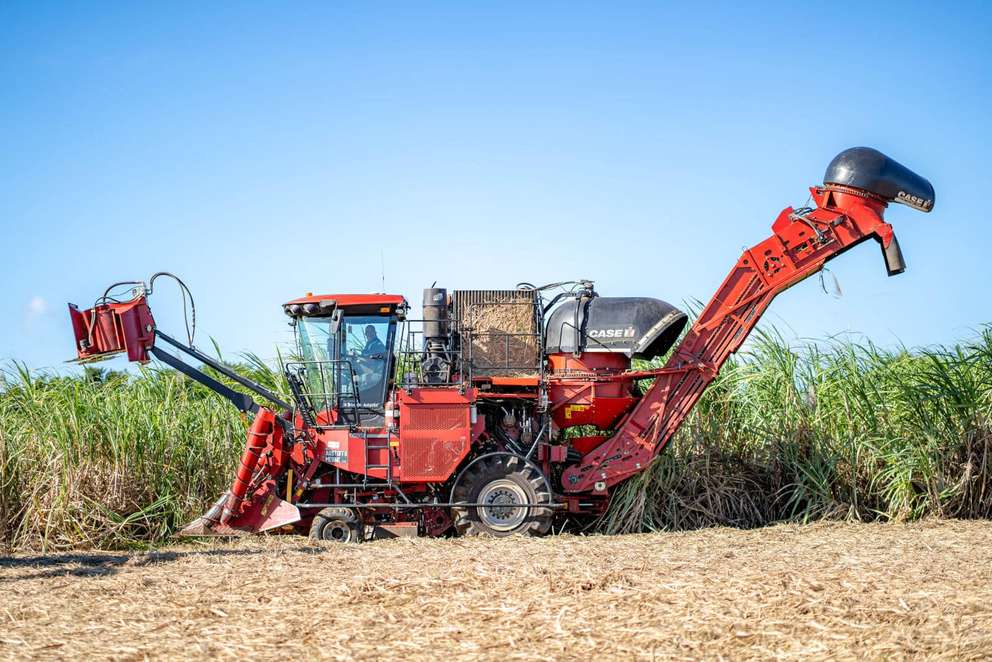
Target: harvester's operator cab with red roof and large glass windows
x: 345, y: 356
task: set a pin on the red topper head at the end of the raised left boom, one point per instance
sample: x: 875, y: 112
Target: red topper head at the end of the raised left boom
x: 110, y: 328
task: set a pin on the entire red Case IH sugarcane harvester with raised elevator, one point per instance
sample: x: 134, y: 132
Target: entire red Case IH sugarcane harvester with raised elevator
x: 499, y: 412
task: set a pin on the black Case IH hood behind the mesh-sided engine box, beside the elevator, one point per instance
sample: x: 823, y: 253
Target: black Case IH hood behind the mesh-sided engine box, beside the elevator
x: 638, y: 327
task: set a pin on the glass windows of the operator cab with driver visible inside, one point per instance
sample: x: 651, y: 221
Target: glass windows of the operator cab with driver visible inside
x: 357, y: 356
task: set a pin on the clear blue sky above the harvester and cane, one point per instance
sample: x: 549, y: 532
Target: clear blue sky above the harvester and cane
x: 265, y: 150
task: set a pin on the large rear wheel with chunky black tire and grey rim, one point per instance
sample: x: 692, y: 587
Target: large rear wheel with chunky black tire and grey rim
x: 502, y: 480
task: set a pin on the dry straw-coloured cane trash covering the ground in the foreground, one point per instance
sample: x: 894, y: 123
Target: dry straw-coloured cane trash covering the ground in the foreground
x: 882, y: 591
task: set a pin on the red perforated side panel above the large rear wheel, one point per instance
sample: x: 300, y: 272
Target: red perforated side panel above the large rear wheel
x: 435, y: 432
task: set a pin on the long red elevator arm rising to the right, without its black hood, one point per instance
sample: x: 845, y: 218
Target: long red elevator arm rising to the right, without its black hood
x: 801, y: 243
